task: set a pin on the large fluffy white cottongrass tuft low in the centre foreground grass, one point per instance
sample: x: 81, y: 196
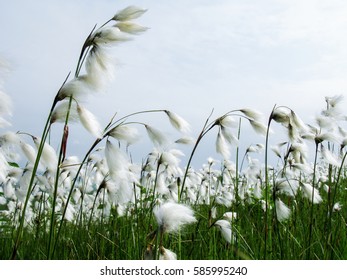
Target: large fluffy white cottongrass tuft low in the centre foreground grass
x: 172, y: 216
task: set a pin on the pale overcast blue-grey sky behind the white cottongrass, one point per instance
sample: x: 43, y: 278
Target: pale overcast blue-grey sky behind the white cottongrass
x: 196, y: 56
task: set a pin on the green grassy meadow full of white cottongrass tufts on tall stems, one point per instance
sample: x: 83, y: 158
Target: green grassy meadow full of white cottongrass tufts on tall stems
x: 54, y: 205
